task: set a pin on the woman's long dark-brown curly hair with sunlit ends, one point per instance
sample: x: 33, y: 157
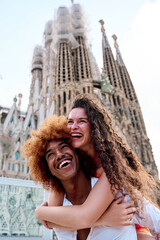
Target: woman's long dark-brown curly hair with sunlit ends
x: 121, y: 165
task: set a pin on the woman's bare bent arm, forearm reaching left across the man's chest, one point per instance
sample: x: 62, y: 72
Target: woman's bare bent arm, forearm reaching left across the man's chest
x: 81, y: 216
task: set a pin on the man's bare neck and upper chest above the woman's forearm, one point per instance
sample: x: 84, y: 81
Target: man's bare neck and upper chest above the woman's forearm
x: 77, y: 188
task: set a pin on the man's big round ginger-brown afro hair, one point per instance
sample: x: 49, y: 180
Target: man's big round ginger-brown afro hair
x: 52, y: 128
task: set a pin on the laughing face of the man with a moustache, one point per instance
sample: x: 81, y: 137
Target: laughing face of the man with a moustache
x: 62, y: 160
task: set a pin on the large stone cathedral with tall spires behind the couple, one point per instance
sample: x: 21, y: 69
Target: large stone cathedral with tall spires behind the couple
x: 62, y: 68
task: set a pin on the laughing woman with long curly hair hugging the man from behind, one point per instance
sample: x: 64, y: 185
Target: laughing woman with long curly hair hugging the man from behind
x: 120, y: 170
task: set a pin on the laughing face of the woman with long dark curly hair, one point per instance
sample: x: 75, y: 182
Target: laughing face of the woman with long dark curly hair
x: 80, y: 128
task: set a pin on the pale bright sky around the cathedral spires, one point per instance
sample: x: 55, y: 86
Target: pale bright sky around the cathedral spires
x: 135, y: 22
